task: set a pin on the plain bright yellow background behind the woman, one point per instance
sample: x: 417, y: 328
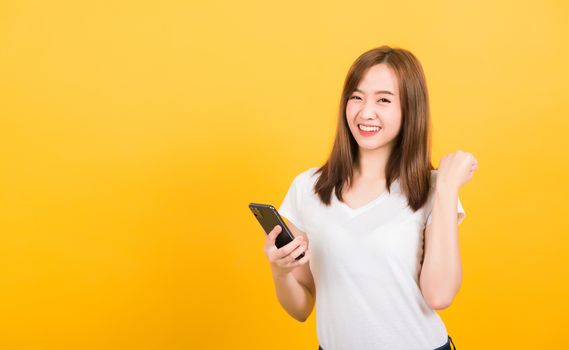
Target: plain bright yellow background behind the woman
x: 134, y: 134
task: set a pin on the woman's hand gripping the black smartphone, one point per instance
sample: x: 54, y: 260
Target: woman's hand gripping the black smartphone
x: 282, y: 259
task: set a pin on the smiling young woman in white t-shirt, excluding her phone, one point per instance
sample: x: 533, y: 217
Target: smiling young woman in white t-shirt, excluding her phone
x: 378, y: 224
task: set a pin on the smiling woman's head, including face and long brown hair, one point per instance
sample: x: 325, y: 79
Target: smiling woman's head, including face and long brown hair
x: 385, y: 88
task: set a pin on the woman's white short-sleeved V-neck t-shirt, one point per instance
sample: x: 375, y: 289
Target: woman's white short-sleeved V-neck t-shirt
x: 366, y: 264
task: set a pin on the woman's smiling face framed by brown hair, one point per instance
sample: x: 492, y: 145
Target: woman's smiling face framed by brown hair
x: 373, y: 111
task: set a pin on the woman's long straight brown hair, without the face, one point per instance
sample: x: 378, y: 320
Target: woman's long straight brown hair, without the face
x: 410, y: 159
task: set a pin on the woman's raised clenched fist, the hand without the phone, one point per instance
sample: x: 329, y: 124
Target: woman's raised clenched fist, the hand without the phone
x: 456, y: 169
